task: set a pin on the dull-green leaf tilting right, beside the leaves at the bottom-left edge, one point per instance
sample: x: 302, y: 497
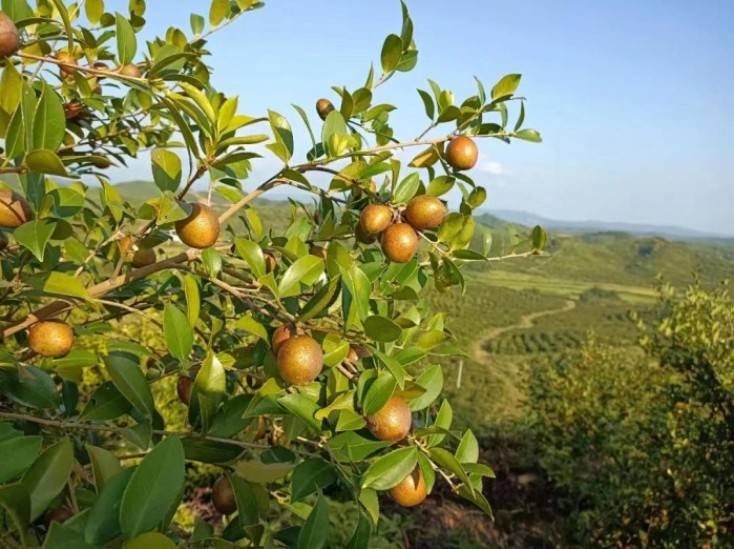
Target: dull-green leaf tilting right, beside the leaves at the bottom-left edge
x: 48, y: 475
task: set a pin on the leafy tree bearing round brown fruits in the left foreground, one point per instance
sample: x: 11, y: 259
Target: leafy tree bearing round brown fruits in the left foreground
x: 304, y: 353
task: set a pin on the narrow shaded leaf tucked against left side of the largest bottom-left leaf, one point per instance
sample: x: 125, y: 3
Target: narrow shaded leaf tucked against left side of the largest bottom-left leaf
x: 103, y: 521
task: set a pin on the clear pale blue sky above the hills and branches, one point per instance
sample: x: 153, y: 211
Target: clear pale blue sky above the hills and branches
x: 632, y: 98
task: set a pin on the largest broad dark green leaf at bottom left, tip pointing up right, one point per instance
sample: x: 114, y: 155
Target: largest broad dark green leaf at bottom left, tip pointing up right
x: 155, y: 489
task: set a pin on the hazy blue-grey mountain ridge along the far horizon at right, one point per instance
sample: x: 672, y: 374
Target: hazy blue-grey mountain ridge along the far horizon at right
x: 639, y: 229
